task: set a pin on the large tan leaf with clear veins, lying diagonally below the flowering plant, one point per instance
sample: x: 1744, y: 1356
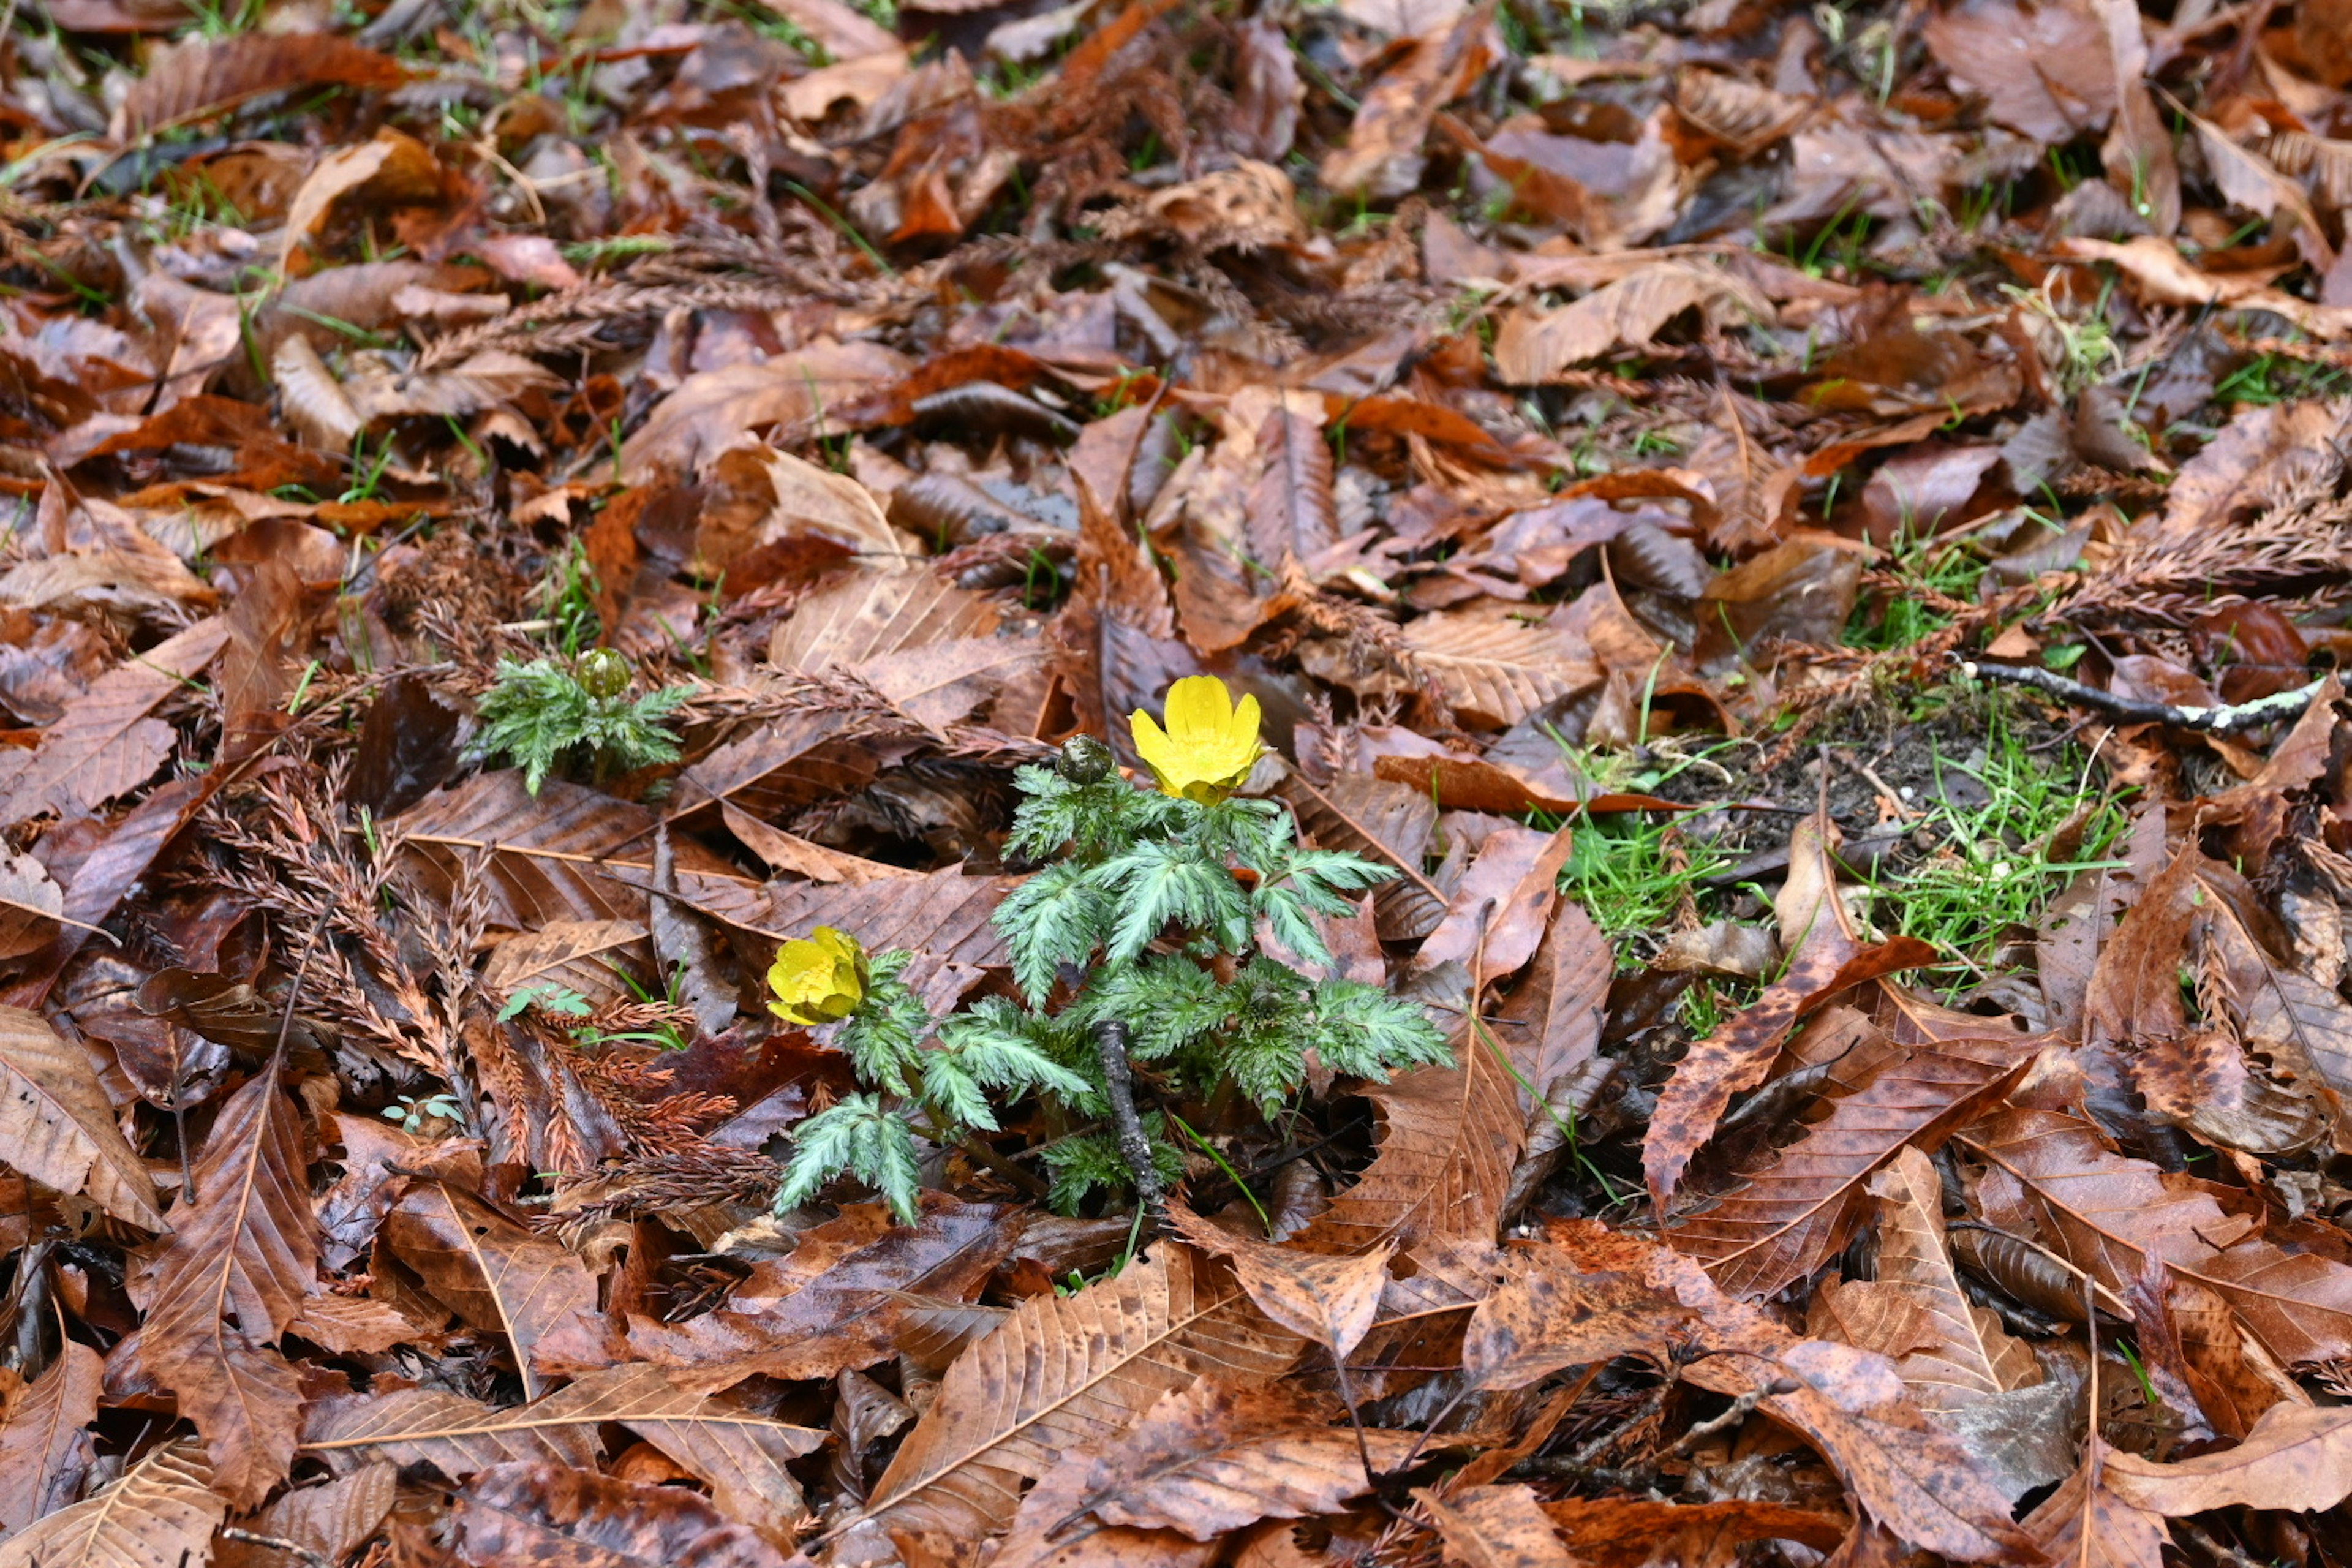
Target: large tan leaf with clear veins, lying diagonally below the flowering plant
x: 1067, y: 1374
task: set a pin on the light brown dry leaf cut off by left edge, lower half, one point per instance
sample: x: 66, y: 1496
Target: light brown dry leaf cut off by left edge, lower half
x: 58, y: 1125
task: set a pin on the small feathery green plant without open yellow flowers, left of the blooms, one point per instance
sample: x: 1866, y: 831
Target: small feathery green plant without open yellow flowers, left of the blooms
x: 549, y: 713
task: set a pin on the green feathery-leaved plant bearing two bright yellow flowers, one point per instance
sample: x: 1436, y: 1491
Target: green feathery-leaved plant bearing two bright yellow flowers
x: 1147, y: 920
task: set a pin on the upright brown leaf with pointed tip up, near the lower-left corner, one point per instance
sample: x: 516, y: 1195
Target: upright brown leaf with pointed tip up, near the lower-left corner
x: 232, y: 1278
